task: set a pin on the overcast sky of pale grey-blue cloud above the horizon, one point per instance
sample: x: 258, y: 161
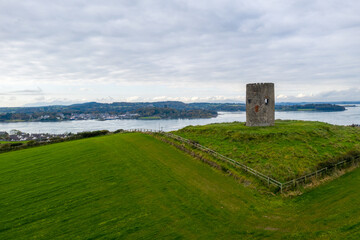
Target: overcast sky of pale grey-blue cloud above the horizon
x: 146, y: 50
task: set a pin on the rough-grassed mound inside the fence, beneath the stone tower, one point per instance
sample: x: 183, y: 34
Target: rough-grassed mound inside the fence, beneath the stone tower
x: 285, y: 151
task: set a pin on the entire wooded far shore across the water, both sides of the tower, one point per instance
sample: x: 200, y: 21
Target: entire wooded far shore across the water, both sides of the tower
x: 143, y: 110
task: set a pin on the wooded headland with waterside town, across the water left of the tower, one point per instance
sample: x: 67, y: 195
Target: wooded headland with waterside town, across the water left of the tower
x: 94, y: 110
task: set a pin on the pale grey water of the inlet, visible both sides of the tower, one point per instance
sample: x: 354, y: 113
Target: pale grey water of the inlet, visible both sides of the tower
x: 348, y: 117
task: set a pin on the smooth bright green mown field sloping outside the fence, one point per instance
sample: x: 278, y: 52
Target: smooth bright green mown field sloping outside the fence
x: 132, y: 186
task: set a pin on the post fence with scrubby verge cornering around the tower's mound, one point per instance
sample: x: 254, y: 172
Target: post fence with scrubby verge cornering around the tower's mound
x: 270, y: 181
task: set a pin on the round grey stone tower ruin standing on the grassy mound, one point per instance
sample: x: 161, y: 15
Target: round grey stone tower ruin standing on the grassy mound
x: 260, y: 104
